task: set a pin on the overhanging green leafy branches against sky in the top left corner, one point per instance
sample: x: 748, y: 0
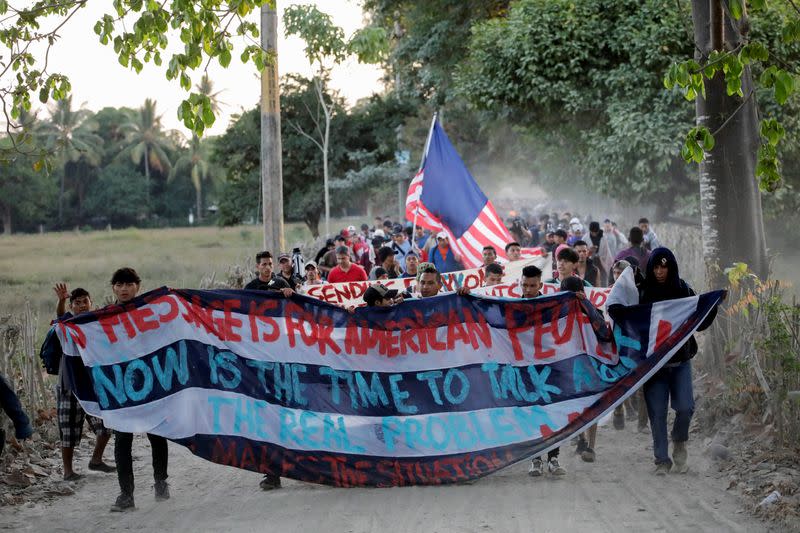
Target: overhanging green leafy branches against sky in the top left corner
x: 139, y: 32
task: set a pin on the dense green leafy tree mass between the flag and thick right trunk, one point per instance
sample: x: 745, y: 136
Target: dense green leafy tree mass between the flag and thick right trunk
x: 580, y: 82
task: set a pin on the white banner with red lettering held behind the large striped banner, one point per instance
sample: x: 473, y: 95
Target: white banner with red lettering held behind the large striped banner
x: 350, y: 293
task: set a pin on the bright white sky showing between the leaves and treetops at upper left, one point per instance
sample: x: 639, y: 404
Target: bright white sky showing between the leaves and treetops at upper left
x: 98, y: 80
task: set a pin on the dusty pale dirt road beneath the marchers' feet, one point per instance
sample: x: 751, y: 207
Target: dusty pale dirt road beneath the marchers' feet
x: 617, y: 493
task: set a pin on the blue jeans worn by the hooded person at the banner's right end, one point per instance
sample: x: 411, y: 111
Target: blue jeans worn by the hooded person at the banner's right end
x: 669, y: 386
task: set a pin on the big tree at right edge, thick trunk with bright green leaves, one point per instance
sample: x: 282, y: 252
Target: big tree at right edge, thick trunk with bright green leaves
x: 738, y: 150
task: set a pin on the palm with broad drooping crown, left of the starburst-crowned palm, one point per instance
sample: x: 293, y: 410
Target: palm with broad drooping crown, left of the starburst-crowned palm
x: 71, y: 134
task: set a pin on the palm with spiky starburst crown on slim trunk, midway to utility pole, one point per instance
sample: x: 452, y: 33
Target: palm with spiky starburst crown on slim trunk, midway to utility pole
x: 147, y: 142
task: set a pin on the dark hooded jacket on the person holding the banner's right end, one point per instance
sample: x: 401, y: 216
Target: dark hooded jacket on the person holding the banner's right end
x: 673, y: 288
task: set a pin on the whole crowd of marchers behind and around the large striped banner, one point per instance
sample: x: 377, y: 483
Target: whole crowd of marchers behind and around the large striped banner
x: 583, y: 255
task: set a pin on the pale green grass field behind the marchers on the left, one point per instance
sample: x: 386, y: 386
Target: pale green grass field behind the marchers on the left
x: 180, y: 257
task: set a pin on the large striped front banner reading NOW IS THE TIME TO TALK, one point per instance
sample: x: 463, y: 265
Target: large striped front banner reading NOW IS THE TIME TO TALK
x: 431, y: 391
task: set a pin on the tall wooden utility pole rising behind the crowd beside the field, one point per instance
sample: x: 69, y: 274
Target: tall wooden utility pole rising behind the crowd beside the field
x: 271, y: 165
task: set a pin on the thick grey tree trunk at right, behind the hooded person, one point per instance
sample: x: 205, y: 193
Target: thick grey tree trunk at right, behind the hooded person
x: 730, y: 202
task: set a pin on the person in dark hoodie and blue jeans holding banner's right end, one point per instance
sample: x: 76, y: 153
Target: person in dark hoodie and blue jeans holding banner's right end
x: 672, y: 385
